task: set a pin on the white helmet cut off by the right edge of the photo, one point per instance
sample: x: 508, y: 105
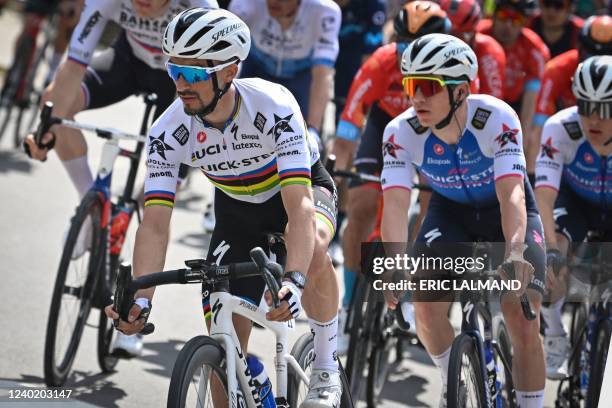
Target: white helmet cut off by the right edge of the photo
x: 593, y: 79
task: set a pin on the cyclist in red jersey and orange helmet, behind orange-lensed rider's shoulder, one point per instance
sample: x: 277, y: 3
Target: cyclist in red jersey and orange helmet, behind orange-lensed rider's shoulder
x: 376, y: 92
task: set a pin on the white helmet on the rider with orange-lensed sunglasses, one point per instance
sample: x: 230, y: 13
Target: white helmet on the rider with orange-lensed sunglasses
x: 440, y: 54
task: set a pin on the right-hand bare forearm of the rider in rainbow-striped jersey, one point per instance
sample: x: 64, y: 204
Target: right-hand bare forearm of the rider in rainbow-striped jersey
x: 300, y: 233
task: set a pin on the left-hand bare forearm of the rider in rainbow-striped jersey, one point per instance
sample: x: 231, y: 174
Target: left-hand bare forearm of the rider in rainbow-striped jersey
x: 149, y: 253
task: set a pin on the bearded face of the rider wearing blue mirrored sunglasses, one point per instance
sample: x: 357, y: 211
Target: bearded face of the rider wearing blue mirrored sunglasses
x: 197, y: 96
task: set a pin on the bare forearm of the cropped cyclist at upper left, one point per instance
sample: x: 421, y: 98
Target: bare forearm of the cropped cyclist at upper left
x: 65, y: 88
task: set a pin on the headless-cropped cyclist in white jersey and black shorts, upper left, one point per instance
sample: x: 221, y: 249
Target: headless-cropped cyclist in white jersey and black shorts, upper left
x: 134, y: 64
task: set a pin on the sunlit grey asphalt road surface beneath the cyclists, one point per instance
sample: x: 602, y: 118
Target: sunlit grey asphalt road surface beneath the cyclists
x: 33, y: 218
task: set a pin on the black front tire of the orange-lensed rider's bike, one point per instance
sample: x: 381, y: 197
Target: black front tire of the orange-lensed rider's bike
x: 464, y: 346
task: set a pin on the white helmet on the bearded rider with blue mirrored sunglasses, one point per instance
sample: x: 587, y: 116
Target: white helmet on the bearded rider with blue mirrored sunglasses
x: 207, y: 34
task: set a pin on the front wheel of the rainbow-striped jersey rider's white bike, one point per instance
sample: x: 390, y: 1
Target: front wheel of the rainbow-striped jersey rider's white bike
x: 199, y: 378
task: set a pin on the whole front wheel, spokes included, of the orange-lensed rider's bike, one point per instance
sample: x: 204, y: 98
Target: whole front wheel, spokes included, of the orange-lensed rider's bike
x: 465, y: 380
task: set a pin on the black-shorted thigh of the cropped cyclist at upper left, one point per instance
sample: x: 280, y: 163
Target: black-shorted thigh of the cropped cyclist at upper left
x: 109, y: 77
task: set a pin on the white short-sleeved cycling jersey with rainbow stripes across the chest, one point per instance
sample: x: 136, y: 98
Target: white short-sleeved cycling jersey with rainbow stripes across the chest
x: 262, y: 147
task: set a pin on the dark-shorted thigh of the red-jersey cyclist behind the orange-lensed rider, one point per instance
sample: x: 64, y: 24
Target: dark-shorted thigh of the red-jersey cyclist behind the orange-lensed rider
x: 368, y: 158
